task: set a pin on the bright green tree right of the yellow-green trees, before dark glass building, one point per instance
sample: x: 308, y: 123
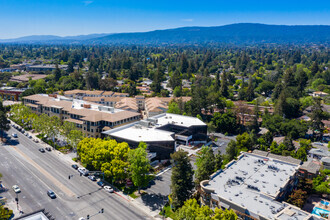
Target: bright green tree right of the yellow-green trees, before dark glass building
x: 139, y: 165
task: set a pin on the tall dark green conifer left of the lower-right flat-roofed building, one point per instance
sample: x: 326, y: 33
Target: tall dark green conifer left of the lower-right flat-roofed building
x: 182, y: 178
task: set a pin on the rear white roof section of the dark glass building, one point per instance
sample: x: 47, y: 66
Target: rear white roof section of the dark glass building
x: 180, y: 120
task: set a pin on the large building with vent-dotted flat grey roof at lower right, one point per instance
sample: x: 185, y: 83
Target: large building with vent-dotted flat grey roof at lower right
x: 255, y: 186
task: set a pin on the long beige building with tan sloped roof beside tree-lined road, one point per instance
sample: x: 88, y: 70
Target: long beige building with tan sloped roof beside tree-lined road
x: 90, y: 118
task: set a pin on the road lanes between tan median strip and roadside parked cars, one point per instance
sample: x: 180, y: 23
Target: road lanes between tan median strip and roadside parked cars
x: 88, y: 187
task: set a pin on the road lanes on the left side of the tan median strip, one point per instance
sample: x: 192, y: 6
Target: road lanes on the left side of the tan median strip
x: 33, y: 194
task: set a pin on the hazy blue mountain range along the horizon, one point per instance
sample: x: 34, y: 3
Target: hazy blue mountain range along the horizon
x: 244, y: 33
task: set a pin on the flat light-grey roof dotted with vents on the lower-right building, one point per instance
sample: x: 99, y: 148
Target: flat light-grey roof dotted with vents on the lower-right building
x: 254, y: 170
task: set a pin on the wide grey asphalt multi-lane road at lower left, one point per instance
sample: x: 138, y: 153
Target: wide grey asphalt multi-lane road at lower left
x: 21, y: 163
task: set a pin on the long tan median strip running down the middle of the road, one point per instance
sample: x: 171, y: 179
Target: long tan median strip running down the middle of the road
x: 66, y: 190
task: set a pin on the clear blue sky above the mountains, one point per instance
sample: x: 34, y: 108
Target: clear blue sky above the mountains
x: 75, y: 17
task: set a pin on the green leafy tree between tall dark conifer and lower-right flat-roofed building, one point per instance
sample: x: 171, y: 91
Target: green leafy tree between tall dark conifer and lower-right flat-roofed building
x: 205, y: 163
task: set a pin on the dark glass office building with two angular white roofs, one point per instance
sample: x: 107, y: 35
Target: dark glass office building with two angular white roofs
x: 162, y: 133
